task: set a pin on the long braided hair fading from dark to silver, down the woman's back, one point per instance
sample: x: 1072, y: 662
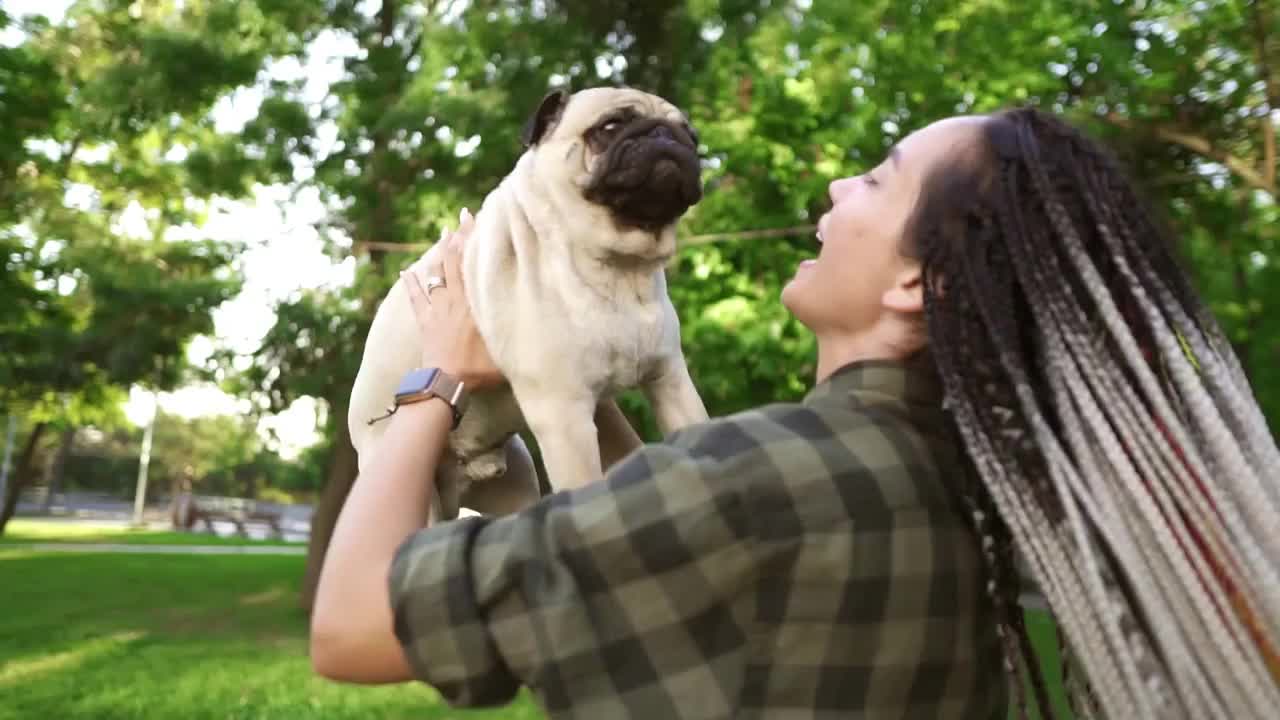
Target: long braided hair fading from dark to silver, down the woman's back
x: 1116, y: 448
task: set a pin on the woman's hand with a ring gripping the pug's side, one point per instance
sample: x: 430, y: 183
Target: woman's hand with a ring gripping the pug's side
x: 449, y: 332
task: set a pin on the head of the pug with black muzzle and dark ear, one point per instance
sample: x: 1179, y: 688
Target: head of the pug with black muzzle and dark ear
x: 628, y: 152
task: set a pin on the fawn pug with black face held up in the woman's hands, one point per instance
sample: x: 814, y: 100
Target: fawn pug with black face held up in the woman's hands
x: 565, y: 277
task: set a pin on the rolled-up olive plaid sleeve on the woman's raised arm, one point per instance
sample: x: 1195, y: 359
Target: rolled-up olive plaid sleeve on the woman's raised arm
x: 586, y: 589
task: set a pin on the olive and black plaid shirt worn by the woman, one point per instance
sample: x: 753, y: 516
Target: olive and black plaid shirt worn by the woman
x: 799, y: 560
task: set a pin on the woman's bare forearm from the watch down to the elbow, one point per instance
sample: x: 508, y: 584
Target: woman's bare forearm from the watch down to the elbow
x: 351, y: 623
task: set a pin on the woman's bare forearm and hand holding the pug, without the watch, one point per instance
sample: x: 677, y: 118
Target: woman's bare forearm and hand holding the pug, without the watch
x: 351, y: 625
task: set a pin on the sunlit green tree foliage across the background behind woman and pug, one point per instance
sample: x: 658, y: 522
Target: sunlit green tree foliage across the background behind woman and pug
x: 426, y: 119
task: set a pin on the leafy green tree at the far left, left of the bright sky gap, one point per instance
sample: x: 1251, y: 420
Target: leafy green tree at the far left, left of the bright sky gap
x: 100, y: 290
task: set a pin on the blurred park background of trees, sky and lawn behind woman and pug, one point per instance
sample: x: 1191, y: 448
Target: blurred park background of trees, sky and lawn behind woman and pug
x: 202, y: 203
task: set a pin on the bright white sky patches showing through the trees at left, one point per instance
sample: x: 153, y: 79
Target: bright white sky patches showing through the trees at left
x: 286, y: 254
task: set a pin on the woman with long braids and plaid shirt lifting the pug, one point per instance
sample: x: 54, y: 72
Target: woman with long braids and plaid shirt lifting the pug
x: 1009, y: 358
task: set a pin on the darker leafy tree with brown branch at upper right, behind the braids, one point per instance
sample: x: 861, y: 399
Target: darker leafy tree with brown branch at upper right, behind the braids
x: 1195, y: 90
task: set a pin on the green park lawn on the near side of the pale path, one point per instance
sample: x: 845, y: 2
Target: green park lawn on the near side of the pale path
x: 162, y: 637
